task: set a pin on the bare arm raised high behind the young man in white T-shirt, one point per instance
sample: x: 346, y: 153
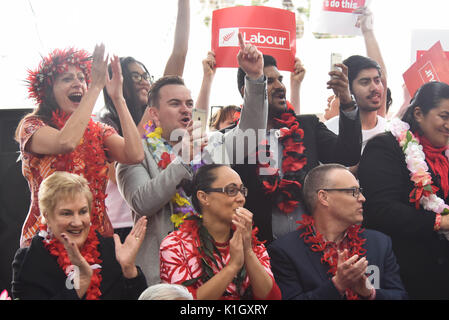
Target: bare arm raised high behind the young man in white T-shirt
x: 365, y: 23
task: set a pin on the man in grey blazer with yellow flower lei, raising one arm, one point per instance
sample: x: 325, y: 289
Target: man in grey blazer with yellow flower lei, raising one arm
x: 171, y: 145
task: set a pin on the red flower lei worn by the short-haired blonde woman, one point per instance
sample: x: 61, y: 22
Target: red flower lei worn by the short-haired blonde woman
x: 89, y: 252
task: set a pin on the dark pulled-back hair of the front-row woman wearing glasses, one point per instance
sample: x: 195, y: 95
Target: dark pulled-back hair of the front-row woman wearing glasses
x: 202, y: 180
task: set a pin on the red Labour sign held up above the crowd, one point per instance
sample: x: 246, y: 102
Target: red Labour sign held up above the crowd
x: 271, y: 30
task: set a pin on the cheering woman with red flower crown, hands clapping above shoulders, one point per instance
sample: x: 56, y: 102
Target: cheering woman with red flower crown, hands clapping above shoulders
x: 59, y: 135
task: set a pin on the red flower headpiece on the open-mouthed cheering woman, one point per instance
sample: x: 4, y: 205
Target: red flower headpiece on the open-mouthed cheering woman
x: 52, y: 65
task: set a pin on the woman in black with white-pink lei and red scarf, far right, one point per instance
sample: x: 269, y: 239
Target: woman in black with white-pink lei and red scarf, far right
x: 405, y: 175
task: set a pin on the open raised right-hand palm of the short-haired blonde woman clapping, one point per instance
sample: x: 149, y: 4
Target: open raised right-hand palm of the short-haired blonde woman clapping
x: 126, y: 253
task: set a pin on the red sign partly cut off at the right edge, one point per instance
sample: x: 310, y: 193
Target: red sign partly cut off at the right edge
x: 432, y: 65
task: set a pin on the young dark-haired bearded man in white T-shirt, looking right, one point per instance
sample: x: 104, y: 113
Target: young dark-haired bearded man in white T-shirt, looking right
x: 365, y: 83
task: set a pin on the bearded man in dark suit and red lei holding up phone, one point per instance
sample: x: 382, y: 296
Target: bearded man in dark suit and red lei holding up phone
x: 297, y: 144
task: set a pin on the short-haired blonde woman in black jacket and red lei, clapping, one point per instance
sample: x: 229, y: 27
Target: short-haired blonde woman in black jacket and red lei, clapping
x: 69, y: 259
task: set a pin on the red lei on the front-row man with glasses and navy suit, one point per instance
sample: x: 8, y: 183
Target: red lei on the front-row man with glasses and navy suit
x: 330, y: 255
